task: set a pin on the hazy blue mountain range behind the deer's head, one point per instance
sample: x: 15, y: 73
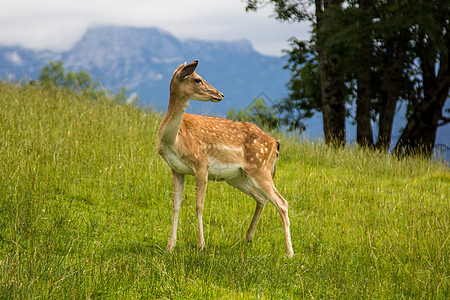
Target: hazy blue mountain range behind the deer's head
x: 143, y: 60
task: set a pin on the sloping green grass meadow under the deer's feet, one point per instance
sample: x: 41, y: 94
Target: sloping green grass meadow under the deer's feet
x: 85, y: 210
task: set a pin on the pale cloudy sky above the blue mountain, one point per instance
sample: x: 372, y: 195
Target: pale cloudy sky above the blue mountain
x: 59, y: 24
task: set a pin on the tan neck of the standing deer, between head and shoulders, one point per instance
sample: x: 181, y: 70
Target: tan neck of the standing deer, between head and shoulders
x: 170, y: 125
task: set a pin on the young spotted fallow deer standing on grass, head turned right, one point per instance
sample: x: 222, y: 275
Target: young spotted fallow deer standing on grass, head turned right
x: 216, y: 149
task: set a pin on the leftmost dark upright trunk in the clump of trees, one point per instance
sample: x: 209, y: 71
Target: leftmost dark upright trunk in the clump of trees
x: 332, y: 86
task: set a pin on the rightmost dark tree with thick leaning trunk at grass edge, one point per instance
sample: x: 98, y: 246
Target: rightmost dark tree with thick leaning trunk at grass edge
x: 431, y: 44
